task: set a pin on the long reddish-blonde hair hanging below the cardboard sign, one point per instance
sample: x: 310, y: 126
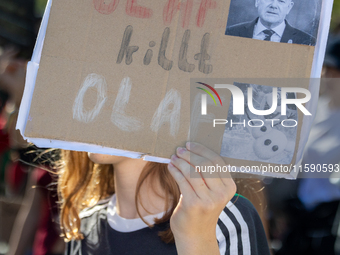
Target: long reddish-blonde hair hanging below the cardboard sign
x: 82, y: 184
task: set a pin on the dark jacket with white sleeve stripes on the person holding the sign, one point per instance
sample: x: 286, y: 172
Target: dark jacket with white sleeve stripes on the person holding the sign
x: 239, y: 232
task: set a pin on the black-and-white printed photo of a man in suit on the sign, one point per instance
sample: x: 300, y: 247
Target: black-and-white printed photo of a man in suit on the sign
x: 286, y: 21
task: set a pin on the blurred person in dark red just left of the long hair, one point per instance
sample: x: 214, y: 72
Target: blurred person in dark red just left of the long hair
x: 38, y: 218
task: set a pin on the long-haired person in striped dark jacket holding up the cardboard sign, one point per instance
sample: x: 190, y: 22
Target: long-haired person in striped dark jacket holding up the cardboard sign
x: 118, y: 205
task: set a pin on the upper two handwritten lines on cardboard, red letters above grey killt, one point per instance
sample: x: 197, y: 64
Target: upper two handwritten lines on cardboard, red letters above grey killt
x: 169, y: 11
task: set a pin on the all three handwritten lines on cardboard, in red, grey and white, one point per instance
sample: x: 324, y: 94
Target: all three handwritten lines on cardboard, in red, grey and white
x: 128, y: 48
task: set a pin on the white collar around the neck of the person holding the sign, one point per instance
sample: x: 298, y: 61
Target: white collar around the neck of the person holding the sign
x: 121, y: 224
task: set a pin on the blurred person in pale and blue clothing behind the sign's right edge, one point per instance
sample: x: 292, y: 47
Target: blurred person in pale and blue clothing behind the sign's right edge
x: 313, y: 213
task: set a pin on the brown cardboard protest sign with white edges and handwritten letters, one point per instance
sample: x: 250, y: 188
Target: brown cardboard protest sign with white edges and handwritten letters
x: 114, y: 76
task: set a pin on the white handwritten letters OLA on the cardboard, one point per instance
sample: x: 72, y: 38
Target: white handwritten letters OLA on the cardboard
x: 164, y: 113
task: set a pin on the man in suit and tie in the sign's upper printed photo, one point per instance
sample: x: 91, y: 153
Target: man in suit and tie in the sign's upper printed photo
x: 271, y: 24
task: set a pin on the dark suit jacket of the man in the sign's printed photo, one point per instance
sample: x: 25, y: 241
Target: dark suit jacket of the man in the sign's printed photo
x: 290, y: 33
